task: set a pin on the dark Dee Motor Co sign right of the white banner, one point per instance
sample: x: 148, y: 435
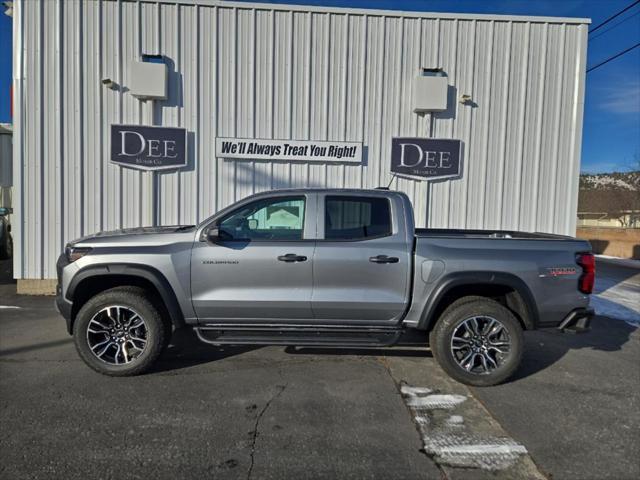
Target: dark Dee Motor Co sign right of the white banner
x: 426, y: 158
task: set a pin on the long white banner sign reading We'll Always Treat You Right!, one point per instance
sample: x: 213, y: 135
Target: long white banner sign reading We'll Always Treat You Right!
x: 295, y: 150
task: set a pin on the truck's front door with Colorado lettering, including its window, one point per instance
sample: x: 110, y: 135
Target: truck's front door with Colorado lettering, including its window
x: 260, y: 267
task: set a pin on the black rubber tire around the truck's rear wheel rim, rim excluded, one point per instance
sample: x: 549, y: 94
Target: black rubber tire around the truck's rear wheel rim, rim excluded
x: 455, y: 315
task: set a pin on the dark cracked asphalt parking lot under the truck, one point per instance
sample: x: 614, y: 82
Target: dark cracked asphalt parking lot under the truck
x: 278, y: 412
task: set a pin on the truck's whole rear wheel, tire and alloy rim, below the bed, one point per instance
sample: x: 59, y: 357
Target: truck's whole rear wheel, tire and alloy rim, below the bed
x: 477, y: 341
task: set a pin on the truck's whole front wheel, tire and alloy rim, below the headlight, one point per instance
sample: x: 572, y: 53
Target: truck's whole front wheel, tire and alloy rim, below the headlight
x: 119, y: 332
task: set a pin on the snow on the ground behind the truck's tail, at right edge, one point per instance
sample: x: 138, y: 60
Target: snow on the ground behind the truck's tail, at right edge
x: 617, y: 299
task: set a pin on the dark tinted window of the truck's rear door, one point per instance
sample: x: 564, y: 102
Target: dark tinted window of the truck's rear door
x: 356, y: 218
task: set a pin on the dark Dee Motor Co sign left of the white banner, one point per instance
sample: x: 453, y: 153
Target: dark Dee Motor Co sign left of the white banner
x: 148, y: 148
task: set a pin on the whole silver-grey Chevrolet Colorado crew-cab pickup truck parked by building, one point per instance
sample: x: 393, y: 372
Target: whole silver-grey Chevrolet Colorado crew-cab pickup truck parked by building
x: 338, y: 268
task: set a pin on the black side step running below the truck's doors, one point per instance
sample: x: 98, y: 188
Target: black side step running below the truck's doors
x: 298, y: 335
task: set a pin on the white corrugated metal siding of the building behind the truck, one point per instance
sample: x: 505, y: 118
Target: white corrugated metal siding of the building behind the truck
x: 273, y: 72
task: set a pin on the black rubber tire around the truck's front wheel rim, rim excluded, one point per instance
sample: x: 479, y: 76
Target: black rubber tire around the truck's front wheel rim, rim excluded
x: 137, y: 299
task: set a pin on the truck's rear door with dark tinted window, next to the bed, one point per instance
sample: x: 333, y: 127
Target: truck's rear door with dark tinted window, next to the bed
x: 362, y: 259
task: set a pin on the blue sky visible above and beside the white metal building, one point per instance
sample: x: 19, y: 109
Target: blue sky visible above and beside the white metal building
x: 611, y: 137
